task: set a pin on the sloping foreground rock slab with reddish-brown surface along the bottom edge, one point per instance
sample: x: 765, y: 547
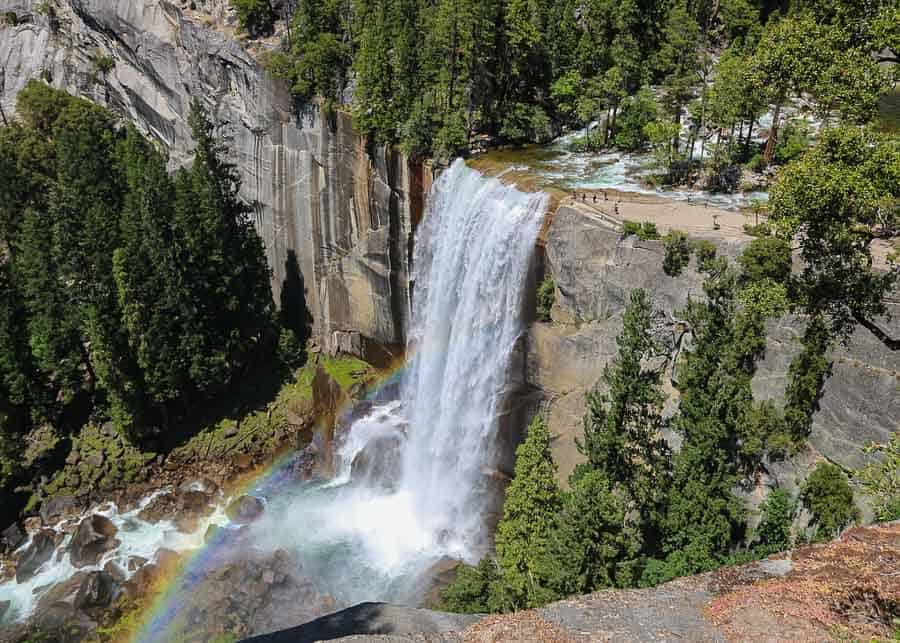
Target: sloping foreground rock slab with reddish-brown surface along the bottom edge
x: 844, y: 590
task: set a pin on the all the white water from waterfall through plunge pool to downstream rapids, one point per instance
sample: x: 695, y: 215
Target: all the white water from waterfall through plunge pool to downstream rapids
x: 411, y: 489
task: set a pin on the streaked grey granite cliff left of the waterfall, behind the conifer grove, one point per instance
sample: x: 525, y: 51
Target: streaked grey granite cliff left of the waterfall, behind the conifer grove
x: 348, y: 215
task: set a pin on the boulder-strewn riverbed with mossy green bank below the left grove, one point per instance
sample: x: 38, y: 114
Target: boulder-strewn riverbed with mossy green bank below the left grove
x: 90, y: 559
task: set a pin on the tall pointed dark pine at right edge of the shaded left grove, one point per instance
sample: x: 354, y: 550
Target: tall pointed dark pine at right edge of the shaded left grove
x: 230, y: 317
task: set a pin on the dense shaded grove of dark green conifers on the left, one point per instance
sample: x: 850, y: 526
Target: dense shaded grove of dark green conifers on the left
x: 125, y: 292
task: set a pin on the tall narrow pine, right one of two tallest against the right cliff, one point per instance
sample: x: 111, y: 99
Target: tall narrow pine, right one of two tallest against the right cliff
x: 703, y: 515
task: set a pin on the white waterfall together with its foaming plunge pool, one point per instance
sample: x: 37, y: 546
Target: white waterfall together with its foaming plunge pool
x: 412, y: 485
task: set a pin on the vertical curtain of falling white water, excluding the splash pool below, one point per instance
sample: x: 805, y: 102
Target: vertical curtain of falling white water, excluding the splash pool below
x: 470, y: 267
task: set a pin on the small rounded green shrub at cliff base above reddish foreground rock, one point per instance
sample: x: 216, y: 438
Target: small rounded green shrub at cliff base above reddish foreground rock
x: 828, y: 497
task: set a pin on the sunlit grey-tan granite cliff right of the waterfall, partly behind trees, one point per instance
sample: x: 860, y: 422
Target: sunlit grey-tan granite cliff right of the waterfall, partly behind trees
x: 595, y: 267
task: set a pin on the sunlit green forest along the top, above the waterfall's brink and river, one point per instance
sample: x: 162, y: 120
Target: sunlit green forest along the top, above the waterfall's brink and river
x: 433, y: 74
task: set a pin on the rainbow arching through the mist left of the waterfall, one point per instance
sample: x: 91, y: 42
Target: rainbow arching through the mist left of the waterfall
x: 159, y: 621
